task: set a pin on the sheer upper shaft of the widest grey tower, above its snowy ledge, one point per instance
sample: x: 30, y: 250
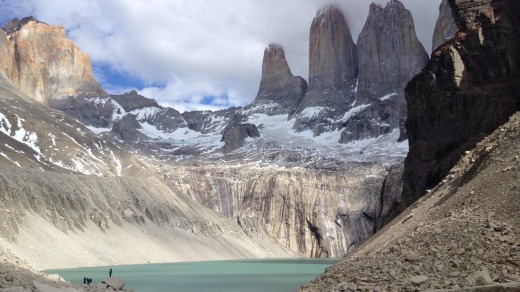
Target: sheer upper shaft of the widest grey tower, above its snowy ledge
x: 389, y: 52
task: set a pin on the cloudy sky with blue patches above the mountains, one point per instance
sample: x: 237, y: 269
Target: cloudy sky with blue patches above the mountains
x: 195, y: 54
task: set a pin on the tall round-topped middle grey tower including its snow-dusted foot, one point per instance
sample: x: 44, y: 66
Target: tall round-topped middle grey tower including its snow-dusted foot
x: 332, y: 69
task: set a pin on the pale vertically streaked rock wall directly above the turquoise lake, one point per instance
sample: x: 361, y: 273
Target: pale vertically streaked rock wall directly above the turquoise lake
x: 313, y: 212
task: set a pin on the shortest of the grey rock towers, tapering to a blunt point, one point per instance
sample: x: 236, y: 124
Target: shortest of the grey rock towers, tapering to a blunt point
x: 280, y: 92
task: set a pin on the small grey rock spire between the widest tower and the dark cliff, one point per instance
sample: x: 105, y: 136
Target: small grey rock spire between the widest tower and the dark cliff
x: 445, y: 27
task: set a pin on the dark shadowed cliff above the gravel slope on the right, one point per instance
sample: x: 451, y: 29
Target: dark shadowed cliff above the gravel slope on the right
x: 469, y: 88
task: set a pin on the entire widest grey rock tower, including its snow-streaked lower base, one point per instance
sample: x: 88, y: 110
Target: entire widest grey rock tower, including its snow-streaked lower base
x: 389, y: 55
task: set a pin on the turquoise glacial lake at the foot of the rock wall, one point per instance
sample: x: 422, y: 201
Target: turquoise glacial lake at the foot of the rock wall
x: 236, y: 275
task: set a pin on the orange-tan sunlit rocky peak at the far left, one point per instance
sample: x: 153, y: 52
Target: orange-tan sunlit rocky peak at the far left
x: 47, y: 64
